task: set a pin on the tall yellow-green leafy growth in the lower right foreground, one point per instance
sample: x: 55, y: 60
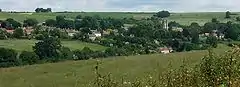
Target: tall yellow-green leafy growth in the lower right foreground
x: 213, y: 71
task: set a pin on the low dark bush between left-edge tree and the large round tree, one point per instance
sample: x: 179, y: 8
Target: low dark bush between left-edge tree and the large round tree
x: 28, y: 58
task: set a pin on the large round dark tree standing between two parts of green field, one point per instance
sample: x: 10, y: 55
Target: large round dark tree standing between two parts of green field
x: 49, y: 48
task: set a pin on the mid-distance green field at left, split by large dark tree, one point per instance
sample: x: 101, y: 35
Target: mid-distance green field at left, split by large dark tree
x: 27, y: 45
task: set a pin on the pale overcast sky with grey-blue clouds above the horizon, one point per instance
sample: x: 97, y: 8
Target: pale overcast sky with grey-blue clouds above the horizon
x: 122, y: 5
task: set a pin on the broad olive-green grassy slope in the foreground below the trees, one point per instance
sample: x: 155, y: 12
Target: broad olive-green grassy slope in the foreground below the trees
x: 67, y: 74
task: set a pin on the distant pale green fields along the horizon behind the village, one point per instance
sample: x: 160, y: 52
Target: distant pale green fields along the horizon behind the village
x: 182, y: 18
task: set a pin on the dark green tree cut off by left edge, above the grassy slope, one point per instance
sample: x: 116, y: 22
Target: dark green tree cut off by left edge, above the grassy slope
x: 8, y: 58
